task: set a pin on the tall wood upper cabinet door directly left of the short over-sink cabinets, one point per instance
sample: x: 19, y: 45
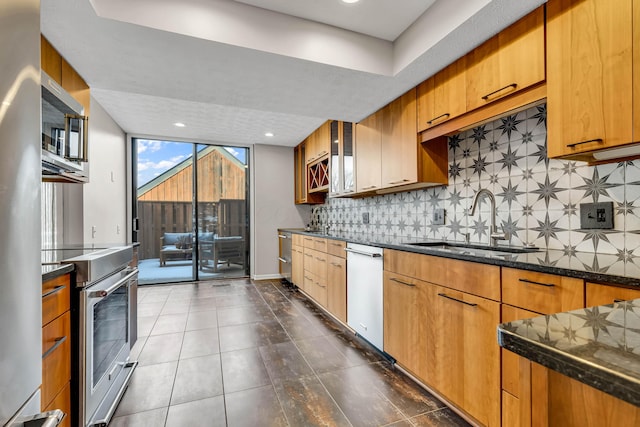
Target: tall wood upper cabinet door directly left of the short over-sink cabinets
x: 399, y: 142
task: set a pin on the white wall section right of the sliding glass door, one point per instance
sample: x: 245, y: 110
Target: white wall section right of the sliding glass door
x: 272, y: 207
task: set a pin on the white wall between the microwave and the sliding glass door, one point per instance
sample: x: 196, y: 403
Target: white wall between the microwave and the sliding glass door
x: 104, y: 197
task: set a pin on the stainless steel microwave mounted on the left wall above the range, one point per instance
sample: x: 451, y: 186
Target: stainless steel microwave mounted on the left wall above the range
x: 64, y: 135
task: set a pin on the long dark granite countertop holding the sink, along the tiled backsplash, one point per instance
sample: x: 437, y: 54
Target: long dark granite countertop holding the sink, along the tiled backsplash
x: 601, y: 268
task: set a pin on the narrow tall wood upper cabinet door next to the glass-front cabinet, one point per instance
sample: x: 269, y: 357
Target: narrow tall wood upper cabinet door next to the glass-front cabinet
x: 369, y: 153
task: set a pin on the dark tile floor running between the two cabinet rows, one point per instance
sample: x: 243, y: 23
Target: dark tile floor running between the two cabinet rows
x: 244, y: 353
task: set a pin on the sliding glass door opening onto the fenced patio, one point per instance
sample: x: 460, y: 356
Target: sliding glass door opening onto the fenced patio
x: 192, y: 216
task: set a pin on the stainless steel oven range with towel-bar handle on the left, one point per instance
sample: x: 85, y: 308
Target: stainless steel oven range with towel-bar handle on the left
x: 105, y: 290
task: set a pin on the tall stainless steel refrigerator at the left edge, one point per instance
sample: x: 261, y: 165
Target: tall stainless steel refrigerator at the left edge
x: 20, y: 271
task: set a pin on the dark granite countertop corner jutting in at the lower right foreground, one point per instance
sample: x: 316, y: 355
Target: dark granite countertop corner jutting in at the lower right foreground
x: 599, y: 346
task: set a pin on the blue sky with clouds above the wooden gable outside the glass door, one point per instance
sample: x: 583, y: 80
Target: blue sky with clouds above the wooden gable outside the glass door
x: 156, y: 157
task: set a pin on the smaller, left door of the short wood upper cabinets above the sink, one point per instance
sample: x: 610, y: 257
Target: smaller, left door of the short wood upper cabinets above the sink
x: 443, y: 96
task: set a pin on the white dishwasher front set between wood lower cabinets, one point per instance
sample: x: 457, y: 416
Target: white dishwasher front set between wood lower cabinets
x: 364, y: 292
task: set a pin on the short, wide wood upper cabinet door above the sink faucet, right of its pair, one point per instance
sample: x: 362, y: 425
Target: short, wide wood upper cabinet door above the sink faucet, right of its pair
x: 510, y: 61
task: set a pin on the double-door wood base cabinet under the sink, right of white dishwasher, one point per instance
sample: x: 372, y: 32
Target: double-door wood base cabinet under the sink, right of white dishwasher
x: 443, y: 335
